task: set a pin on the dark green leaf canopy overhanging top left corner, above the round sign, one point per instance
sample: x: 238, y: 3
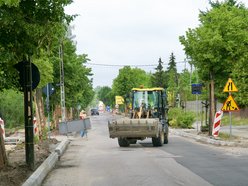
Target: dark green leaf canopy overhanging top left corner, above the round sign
x: 31, y: 25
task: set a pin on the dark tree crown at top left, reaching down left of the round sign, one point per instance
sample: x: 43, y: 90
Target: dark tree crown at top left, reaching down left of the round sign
x: 25, y: 28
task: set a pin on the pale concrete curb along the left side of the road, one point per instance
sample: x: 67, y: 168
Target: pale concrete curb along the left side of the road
x: 41, y: 172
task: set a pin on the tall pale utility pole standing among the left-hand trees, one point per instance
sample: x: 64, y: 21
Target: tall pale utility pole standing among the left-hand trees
x: 62, y: 85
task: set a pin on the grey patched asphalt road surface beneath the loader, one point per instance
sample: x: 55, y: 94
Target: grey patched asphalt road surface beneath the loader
x: 98, y: 160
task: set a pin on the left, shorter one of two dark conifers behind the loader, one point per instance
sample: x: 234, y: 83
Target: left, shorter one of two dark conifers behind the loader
x: 159, y: 78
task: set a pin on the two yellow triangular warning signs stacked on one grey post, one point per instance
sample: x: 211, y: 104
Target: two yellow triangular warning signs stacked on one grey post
x: 230, y: 105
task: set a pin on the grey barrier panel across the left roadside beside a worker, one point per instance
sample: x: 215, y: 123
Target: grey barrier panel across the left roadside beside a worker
x: 74, y: 126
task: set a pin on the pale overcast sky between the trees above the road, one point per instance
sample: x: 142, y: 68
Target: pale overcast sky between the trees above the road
x: 132, y: 32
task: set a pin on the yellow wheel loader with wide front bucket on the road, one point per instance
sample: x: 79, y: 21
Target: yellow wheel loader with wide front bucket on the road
x: 148, y: 119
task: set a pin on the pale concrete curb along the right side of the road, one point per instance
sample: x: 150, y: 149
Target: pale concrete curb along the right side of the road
x: 208, y: 140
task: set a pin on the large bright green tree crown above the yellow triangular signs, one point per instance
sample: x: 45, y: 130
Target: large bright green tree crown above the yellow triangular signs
x: 220, y: 49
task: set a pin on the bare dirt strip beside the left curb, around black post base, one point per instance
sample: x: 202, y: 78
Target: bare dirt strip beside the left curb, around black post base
x: 17, y: 172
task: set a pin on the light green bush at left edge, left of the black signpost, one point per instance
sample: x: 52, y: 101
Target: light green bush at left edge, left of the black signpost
x: 12, y: 108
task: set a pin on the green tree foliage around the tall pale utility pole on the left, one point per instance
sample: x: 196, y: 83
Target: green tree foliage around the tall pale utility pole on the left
x: 78, y: 86
